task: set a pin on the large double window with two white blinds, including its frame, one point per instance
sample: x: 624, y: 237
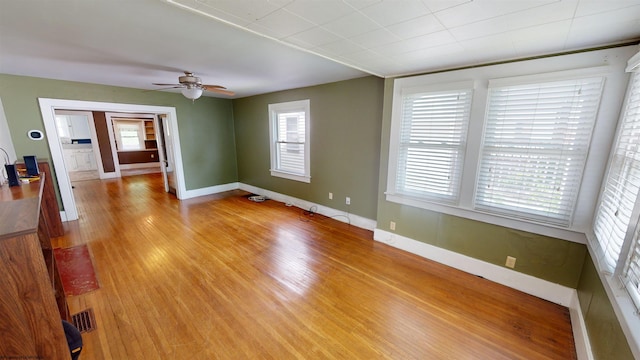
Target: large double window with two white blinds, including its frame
x: 523, y: 151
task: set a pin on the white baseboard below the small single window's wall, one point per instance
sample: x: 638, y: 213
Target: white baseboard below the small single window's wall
x: 339, y: 215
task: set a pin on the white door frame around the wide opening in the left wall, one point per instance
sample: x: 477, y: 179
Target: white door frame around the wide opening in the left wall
x: 48, y: 108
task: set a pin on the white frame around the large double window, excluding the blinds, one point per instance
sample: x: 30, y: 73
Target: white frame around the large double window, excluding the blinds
x: 466, y: 206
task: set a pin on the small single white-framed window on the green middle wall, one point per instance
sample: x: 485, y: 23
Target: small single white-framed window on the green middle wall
x: 289, y: 137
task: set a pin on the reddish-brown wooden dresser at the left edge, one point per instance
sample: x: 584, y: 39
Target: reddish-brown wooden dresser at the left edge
x: 32, y: 302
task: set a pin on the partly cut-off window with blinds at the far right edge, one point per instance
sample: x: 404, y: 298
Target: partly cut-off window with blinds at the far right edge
x: 617, y: 216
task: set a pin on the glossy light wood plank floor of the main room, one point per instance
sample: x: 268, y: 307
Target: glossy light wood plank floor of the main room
x: 221, y: 277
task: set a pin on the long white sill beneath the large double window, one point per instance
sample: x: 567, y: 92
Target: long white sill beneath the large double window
x: 574, y: 235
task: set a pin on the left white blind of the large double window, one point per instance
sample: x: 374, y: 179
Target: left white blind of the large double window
x: 432, y: 144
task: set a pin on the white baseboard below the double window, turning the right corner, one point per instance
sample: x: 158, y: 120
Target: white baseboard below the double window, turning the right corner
x: 543, y: 289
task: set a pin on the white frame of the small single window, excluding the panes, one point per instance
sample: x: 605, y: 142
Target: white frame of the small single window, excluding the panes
x: 282, y: 108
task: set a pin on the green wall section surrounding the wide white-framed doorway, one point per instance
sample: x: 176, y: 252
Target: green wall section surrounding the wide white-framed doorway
x: 205, y: 126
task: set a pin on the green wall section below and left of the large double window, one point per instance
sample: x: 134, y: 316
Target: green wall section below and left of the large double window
x: 551, y: 259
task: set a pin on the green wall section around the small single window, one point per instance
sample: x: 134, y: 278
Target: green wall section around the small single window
x: 345, y: 143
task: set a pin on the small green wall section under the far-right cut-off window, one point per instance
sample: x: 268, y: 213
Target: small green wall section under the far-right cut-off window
x: 605, y: 334
